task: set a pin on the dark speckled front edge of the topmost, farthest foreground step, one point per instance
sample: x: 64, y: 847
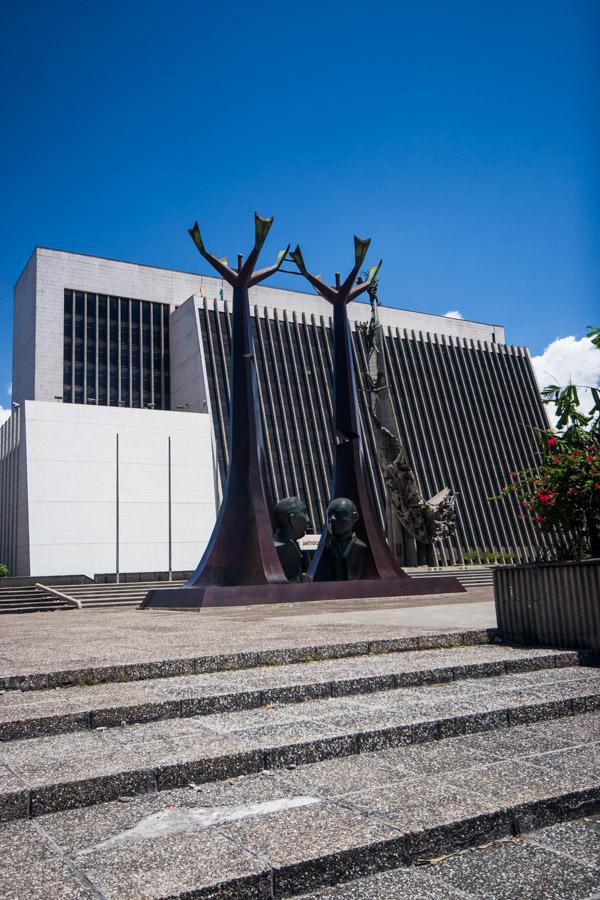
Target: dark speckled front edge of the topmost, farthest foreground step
x: 266, y: 655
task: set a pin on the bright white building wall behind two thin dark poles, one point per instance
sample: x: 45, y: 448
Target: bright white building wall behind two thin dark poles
x: 71, y: 480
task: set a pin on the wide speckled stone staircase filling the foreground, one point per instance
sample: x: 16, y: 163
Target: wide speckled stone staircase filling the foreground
x: 438, y: 766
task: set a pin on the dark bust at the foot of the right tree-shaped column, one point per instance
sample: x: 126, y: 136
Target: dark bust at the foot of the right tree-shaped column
x: 344, y: 553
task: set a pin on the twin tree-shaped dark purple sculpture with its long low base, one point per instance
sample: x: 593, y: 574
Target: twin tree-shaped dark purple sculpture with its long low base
x: 242, y: 563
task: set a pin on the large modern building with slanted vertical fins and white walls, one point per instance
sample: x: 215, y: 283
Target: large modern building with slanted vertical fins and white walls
x: 116, y: 451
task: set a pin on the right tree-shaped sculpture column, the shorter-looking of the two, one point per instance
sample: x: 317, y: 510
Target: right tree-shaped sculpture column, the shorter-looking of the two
x: 349, y: 478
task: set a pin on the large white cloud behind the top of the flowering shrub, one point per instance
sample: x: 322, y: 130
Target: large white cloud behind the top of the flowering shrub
x: 570, y: 360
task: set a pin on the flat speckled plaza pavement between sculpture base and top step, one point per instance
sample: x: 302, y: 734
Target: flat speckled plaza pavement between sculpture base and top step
x: 45, y: 643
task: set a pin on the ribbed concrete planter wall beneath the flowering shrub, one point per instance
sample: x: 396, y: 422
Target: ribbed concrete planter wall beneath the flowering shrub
x: 555, y: 604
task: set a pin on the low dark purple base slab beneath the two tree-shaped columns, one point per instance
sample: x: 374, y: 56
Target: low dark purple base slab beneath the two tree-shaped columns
x: 250, y: 595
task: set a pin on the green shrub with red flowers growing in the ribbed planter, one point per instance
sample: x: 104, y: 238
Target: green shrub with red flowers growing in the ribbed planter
x: 563, y: 495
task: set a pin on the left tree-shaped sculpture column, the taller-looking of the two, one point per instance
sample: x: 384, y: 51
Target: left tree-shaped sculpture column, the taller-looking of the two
x: 241, y: 550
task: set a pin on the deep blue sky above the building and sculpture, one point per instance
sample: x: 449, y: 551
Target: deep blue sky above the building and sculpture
x: 462, y: 137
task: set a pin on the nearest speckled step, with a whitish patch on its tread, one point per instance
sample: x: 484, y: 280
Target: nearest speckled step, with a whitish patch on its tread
x: 295, y: 831
